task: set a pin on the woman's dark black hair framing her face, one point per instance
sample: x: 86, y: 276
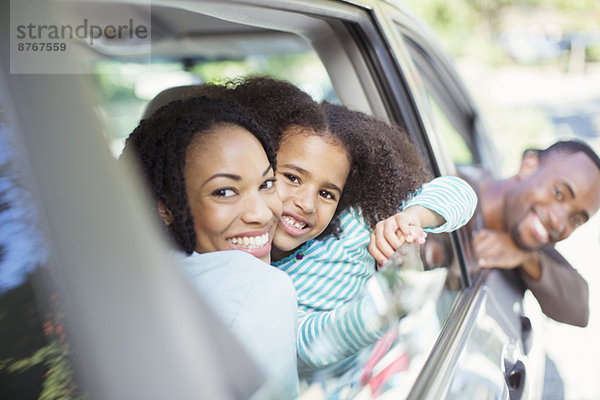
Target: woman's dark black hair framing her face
x: 159, y: 144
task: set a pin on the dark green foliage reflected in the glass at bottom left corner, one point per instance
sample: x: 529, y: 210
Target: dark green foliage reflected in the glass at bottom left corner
x: 34, y: 357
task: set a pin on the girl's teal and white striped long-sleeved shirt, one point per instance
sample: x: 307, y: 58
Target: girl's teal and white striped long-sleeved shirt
x: 332, y: 273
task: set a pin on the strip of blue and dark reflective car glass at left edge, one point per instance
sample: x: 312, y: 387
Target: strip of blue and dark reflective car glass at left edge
x: 34, y: 346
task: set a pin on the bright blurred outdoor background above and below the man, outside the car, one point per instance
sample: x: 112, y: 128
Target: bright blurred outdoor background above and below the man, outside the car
x: 533, y: 66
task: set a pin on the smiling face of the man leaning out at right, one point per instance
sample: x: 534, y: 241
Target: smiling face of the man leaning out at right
x: 551, y: 199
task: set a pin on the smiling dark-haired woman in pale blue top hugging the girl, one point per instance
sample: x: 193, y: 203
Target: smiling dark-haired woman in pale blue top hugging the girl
x: 210, y: 167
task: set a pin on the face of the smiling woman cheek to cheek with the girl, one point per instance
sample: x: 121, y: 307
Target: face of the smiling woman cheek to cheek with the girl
x: 231, y: 192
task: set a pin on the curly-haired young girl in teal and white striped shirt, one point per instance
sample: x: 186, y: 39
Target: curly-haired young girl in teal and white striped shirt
x: 339, y: 172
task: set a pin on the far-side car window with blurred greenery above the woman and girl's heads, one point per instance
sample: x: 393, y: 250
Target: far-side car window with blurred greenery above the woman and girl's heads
x: 125, y: 86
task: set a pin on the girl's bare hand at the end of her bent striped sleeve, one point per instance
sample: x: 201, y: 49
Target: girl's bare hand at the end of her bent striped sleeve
x: 392, y: 232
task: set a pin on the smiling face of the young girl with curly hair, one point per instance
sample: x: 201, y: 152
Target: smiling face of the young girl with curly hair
x: 311, y: 174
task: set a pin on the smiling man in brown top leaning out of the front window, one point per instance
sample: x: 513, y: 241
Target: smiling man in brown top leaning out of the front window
x: 520, y: 219
